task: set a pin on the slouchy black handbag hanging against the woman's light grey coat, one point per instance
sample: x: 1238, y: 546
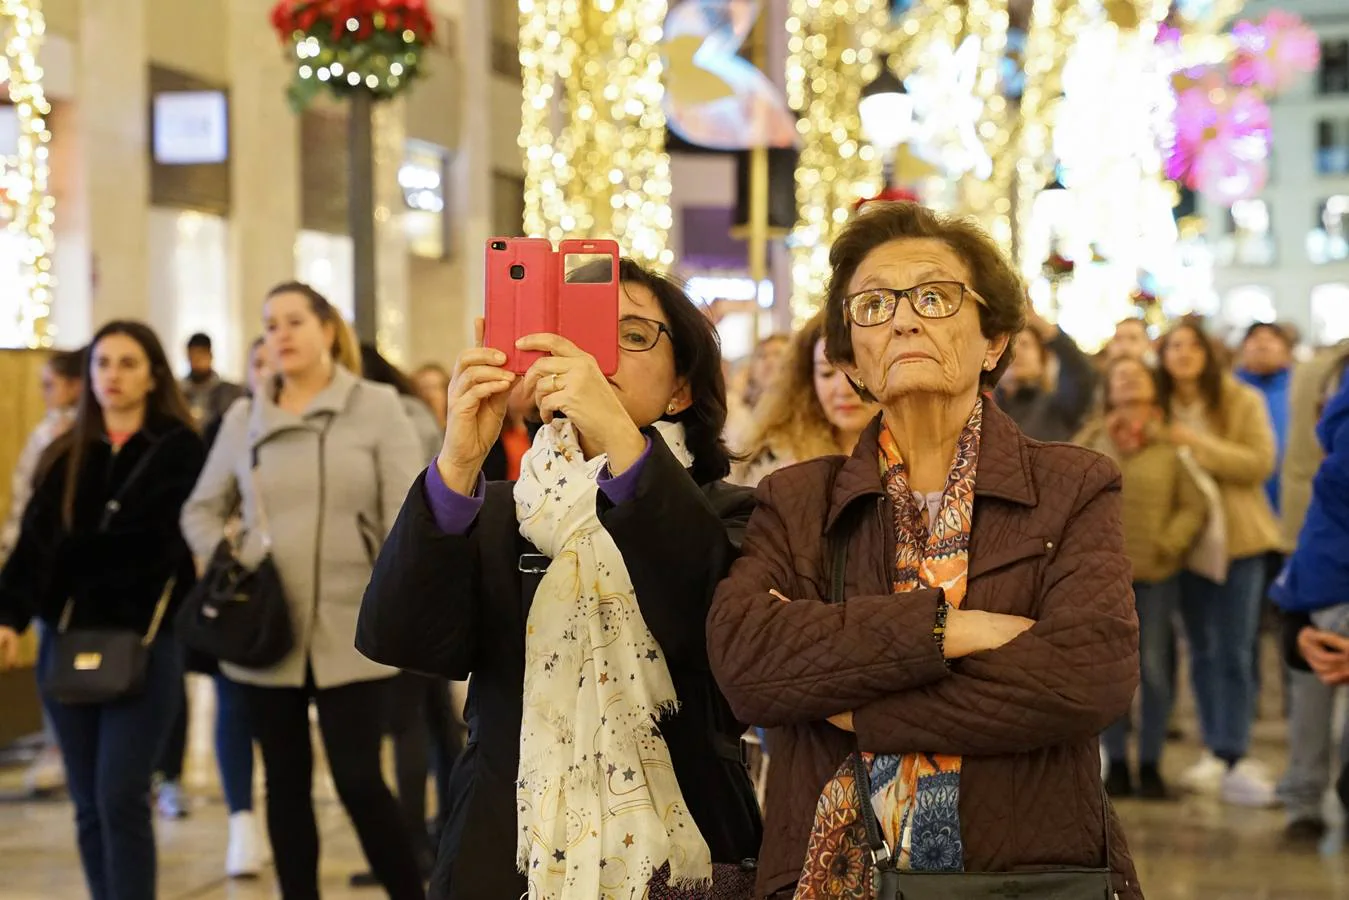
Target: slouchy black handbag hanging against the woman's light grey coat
x: 239, y: 615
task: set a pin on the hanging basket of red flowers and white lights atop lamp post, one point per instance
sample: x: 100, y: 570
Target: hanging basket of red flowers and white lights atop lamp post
x: 350, y: 47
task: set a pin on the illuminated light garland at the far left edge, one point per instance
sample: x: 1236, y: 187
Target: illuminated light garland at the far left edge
x: 30, y: 198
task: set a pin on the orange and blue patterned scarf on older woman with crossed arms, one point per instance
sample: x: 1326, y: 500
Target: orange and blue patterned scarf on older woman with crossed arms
x: 918, y: 795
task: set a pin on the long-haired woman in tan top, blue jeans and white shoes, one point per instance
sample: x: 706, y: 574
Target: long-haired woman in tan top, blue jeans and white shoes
x: 1223, y: 427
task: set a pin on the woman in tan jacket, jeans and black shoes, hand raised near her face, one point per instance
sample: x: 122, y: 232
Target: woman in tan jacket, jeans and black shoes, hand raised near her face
x: 1164, y: 513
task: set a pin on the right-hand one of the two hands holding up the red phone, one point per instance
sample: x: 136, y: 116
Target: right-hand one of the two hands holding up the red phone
x: 569, y: 381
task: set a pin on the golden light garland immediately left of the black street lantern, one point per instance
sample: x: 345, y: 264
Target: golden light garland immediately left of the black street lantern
x: 833, y: 52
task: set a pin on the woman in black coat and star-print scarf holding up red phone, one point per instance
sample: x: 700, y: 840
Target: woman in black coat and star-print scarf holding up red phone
x: 602, y: 758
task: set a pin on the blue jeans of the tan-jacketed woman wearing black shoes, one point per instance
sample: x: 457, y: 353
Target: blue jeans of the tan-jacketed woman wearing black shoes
x: 1157, y: 607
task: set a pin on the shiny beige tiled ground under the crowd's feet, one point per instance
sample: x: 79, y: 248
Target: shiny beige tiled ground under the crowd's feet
x: 1190, y: 851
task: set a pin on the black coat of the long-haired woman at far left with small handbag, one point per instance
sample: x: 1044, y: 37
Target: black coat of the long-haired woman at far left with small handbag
x: 115, y: 577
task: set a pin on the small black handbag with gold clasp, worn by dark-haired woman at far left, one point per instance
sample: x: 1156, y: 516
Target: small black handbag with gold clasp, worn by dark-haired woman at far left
x: 102, y: 666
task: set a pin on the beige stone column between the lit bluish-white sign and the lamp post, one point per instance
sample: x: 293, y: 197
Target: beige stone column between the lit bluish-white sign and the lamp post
x: 265, y: 148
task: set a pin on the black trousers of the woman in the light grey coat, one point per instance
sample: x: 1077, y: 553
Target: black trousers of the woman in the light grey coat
x: 350, y: 721
